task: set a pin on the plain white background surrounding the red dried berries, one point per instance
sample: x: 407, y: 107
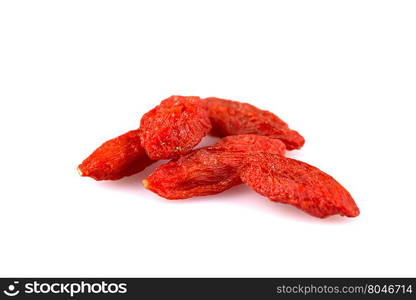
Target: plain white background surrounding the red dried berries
x: 76, y: 73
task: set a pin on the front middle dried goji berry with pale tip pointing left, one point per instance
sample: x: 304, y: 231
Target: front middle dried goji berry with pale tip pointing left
x: 209, y: 170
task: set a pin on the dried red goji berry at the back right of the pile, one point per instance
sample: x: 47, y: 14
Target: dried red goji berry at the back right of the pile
x: 235, y: 118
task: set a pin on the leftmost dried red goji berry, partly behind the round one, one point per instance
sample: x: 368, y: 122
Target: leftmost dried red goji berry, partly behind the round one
x: 116, y: 158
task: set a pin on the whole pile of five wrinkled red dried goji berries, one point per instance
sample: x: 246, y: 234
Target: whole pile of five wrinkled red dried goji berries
x: 251, y: 151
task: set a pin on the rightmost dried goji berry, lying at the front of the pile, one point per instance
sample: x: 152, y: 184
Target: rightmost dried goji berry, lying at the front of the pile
x: 296, y: 183
